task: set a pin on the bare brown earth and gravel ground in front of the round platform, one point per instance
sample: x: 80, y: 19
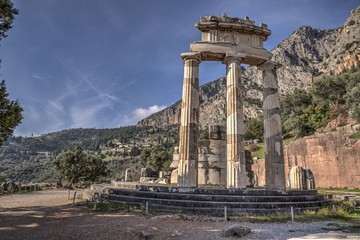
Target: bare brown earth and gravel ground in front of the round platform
x: 50, y: 215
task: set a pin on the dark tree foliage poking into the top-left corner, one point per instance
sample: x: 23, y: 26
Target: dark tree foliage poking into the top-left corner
x: 7, y: 16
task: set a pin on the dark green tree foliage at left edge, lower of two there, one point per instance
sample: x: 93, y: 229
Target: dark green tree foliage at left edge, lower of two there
x: 10, y: 114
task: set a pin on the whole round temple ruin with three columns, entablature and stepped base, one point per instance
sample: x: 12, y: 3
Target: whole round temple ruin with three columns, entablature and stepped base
x: 220, y: 160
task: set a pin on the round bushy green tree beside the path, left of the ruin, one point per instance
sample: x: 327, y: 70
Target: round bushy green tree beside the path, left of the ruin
x: 78, y: 165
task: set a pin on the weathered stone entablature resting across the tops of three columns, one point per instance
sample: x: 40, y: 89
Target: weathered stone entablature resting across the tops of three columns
x: 225, y: 35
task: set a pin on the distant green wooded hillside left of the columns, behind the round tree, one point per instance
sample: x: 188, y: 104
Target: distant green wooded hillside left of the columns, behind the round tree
x: 26, y: 159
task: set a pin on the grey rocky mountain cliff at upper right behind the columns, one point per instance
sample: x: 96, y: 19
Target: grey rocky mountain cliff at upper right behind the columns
x: 309, y: 52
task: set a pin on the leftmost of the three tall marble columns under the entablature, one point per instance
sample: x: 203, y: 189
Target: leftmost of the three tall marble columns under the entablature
x: 189, y: 131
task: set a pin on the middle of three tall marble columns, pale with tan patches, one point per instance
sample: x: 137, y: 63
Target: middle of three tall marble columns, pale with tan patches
x: 236, y: 174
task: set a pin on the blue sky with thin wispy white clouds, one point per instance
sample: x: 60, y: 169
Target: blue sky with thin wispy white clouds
x: 109, y: 63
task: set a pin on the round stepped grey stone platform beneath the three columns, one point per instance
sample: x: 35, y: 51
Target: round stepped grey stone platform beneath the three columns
x: 210, y: 201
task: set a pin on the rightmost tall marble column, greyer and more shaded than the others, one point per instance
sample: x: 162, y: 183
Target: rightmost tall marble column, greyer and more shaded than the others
x: 273, y: 145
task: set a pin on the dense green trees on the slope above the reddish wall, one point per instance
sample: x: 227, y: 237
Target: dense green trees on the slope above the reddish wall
x: 329, y: 97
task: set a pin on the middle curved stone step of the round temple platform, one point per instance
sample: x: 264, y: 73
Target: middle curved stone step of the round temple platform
x: 209, y: 204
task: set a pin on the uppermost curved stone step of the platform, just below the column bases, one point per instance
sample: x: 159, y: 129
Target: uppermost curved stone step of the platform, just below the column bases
x: 215, y: 198
